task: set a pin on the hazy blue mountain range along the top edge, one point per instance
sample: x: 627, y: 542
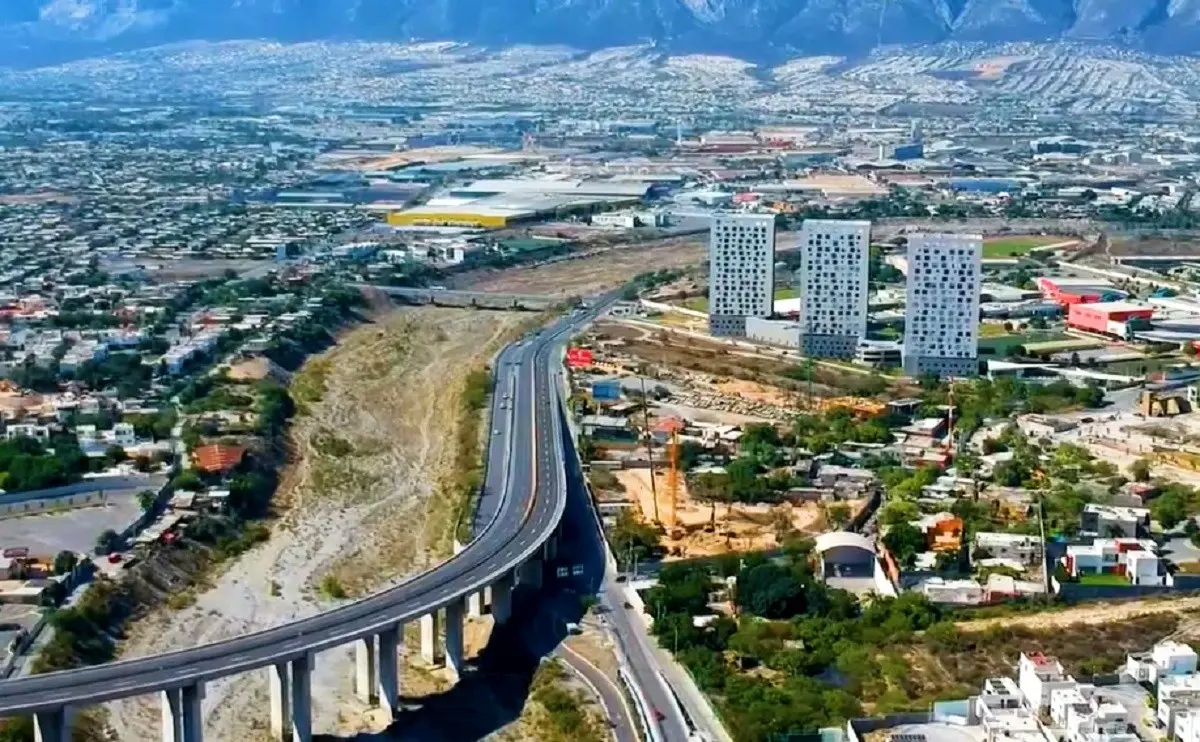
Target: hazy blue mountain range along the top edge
x: 35, y: 31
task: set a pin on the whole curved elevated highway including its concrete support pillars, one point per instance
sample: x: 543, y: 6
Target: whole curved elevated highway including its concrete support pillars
x: 523, y: 505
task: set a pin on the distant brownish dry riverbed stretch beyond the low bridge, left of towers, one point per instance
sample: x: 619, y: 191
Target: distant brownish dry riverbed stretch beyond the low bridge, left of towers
x: 592, y: 274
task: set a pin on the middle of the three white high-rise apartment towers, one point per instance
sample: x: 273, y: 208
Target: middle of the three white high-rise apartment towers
x: 835, y: 261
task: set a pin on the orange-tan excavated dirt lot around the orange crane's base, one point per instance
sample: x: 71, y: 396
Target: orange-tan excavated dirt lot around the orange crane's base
x: 743, y: 528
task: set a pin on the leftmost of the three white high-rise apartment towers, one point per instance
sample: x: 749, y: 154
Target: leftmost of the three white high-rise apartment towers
x: 741, y: 272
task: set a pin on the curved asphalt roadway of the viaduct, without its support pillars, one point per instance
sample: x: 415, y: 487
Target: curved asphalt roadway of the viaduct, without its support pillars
x: 524, y: 502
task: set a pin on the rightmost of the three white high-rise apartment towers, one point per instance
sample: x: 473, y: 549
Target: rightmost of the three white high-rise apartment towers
x: 941, y: 333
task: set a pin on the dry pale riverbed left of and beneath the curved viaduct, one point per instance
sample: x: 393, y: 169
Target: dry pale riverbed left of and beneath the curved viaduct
x: 374, y: 440
